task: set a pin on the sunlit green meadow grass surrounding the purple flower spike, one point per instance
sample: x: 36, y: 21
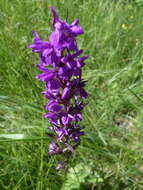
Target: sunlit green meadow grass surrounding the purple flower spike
x: 111, y: 152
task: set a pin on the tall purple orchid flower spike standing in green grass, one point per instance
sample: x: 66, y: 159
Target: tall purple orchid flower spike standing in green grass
x: 61, y: 65
